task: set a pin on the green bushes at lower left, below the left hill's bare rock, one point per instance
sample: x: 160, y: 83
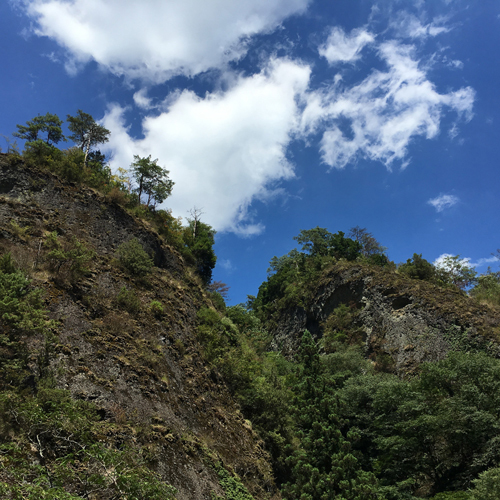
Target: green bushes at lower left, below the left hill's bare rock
x: 51, y: 445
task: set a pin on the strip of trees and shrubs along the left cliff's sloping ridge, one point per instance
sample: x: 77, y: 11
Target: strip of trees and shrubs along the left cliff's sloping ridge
x: 83, y: 164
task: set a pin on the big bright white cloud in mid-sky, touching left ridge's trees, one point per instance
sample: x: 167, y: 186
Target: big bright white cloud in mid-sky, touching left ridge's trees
x: 225, y: 150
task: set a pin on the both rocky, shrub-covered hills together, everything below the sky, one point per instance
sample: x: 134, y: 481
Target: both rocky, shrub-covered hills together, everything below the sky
x: 123, y: 377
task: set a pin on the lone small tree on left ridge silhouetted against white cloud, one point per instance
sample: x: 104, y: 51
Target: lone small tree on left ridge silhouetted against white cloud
x: 152, y: 180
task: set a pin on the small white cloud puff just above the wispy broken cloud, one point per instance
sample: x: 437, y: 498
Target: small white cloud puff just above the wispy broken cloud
x: 340, y: 48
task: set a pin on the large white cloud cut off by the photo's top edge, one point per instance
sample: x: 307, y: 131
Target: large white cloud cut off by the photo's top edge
x: 156, y: 39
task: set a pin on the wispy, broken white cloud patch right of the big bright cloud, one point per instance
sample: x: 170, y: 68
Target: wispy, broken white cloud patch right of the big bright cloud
x: 377, y: 118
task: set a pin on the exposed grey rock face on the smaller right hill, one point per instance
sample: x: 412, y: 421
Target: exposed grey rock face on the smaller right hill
x: 403, y: 322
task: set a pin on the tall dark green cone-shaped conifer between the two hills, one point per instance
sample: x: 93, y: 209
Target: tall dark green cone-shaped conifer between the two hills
x: 324, y: 465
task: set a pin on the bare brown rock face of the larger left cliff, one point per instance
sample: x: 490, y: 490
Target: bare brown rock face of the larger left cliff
x: 143, y: 369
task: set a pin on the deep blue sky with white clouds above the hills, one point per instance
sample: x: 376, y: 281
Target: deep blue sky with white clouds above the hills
x: 280, y: 115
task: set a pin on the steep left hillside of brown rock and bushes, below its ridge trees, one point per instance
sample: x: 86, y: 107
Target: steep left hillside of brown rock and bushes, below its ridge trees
x: 153, y: 398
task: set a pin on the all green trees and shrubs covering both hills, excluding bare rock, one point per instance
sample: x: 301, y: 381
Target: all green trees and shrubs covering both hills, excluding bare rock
x: 335, y: 424
